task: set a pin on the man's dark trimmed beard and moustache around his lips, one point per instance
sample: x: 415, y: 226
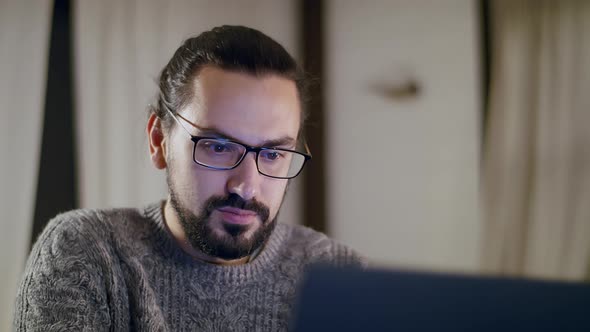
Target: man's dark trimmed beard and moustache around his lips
x: 232, y: 244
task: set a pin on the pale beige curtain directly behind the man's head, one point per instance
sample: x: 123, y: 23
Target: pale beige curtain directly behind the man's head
x: 120, y: 47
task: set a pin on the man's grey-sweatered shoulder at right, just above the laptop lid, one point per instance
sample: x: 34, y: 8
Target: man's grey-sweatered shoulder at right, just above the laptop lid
x: 318, y: 247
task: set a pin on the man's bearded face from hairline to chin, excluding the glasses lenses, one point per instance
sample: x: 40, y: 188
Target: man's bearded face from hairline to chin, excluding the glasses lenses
x: 227, y: 214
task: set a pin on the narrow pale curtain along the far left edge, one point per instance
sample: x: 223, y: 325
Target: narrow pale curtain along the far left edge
x: 24, y: 40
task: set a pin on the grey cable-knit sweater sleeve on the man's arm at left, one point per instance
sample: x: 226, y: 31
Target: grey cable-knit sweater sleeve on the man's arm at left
x: 63, y: 287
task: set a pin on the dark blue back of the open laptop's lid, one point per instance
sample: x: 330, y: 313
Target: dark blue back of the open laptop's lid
x: 350, y: 299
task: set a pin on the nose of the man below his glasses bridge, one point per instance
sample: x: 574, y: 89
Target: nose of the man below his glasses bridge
x: 245, y: 180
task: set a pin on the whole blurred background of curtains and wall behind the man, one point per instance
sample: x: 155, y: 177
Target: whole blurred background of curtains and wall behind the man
x: 447, y: 135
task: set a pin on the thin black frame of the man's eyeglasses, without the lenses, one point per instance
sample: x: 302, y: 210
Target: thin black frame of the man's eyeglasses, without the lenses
x: 248, y: 149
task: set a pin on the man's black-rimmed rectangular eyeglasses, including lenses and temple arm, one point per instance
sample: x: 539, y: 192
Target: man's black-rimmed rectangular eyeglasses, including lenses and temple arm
x: 224, y: 154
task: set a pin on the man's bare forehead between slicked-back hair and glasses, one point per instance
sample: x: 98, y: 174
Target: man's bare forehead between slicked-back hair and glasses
x: 250, y: 108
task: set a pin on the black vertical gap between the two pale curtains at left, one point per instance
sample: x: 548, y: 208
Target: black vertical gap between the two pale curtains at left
x: 56, y: 185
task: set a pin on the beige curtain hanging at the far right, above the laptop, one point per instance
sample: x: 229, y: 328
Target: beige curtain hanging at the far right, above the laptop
x: 536, y: 162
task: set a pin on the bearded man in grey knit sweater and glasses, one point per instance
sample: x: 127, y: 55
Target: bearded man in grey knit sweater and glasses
x: 226, y: 128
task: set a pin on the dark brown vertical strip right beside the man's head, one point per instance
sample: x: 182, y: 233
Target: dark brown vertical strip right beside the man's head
x: 312, y: 41
